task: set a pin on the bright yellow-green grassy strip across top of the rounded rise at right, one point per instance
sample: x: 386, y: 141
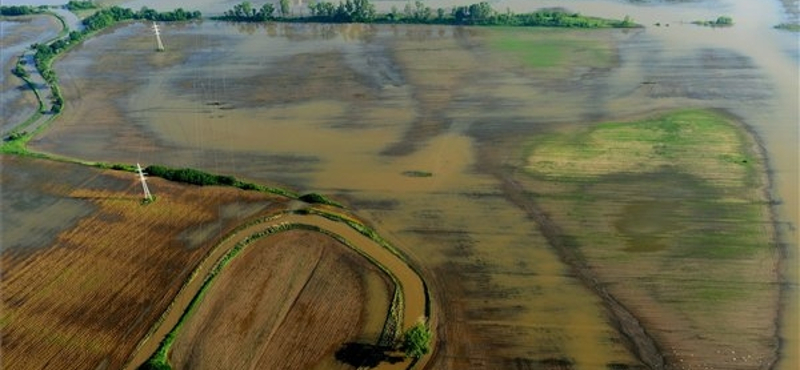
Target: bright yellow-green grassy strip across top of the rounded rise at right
x: 698, y: 142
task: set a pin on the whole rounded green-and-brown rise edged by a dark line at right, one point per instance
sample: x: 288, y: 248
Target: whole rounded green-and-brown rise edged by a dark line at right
x: 672, y: 215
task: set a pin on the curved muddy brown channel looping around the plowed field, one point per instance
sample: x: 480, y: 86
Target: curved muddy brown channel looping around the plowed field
x: 415, y: 298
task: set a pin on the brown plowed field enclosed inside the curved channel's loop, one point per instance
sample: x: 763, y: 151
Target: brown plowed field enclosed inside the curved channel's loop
x: 289, y: 301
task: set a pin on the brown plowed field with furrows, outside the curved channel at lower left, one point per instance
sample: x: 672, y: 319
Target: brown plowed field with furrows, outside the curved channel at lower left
x: 86, y: 298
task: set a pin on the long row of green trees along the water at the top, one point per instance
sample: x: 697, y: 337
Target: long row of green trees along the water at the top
x: 363, y: 11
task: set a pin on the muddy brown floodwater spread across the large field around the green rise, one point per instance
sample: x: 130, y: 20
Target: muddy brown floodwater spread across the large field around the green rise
x: 362, y: 111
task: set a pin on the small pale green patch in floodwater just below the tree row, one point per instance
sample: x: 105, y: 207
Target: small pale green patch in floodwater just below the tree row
x: 548, y: 50
